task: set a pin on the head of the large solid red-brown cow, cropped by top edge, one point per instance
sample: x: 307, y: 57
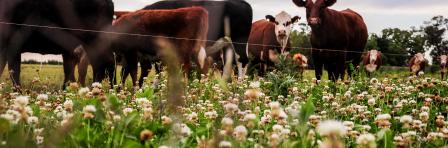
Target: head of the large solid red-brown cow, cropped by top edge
x: 314, y: 9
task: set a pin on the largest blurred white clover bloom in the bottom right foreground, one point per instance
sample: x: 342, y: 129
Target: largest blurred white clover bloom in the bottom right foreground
x: 331, y: 127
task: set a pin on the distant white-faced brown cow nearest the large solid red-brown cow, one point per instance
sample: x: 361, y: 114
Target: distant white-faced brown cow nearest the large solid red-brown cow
x: 372, y: 61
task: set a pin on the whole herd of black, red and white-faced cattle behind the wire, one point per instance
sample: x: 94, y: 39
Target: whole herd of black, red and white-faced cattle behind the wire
x: 208, y: 33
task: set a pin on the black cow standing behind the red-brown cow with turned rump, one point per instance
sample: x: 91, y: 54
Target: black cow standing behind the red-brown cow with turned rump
x: 238, y: 15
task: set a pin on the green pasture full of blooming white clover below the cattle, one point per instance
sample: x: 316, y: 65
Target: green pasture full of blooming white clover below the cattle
x: 390, y: 109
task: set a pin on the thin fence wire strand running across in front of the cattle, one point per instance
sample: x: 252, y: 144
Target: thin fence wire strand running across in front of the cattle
x: 178, y: 38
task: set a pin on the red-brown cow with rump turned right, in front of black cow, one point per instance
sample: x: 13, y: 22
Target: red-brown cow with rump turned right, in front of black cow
x: 185, y: 28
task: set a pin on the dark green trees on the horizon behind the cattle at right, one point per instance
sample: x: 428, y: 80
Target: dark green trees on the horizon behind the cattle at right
x: 396, y: 44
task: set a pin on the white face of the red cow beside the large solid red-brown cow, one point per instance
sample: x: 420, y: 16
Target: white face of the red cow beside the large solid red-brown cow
x: 283, y: 26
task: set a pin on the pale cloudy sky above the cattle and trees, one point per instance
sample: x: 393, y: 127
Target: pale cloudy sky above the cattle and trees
x: 378, y: 14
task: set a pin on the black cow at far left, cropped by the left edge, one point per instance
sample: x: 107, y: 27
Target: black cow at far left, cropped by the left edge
x: 41, y: 27
